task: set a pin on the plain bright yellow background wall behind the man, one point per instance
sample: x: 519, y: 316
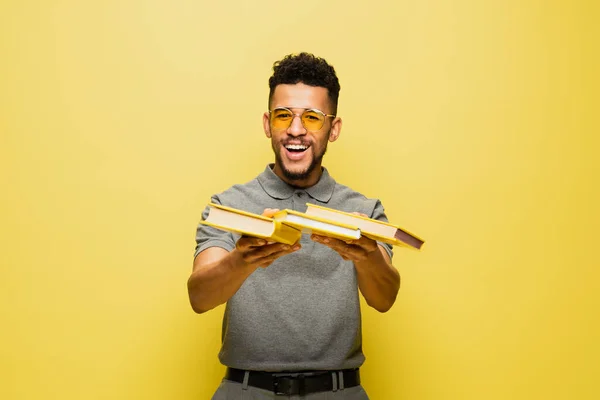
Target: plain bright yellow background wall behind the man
x: 476, y: 124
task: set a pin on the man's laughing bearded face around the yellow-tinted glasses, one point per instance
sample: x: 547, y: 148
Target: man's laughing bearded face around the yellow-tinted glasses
x: 298, y: 151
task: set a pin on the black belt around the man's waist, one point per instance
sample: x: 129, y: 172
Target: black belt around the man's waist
x: 295, y: 383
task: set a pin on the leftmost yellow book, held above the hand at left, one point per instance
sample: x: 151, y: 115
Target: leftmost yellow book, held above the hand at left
x: 246, y: 223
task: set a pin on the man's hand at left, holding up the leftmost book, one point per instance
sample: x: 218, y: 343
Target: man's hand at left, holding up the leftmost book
x: 255, y: 252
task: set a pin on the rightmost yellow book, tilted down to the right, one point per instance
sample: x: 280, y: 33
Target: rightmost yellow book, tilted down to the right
x: 371, y: 228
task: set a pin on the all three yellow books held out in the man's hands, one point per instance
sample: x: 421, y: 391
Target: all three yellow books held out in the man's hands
x: 287, y: 226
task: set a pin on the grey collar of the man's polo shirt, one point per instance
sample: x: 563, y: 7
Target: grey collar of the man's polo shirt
x: 278, y: 189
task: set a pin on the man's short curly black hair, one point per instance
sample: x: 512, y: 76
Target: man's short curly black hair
x: 308, y: 69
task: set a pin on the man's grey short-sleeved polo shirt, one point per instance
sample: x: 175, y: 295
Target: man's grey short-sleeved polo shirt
x: 303, y: 311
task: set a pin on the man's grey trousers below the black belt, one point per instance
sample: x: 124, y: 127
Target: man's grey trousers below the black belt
x: 229, y: 390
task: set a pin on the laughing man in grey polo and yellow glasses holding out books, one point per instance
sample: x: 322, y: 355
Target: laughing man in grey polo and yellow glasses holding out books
x: 292, y: 324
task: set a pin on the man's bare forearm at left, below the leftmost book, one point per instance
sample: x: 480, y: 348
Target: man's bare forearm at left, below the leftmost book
x: 214, y: 283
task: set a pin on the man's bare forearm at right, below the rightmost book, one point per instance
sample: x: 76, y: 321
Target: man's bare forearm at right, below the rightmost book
x: 378, y: 281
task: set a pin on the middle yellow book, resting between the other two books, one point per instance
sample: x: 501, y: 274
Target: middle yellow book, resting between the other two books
x: 319, y: 226
